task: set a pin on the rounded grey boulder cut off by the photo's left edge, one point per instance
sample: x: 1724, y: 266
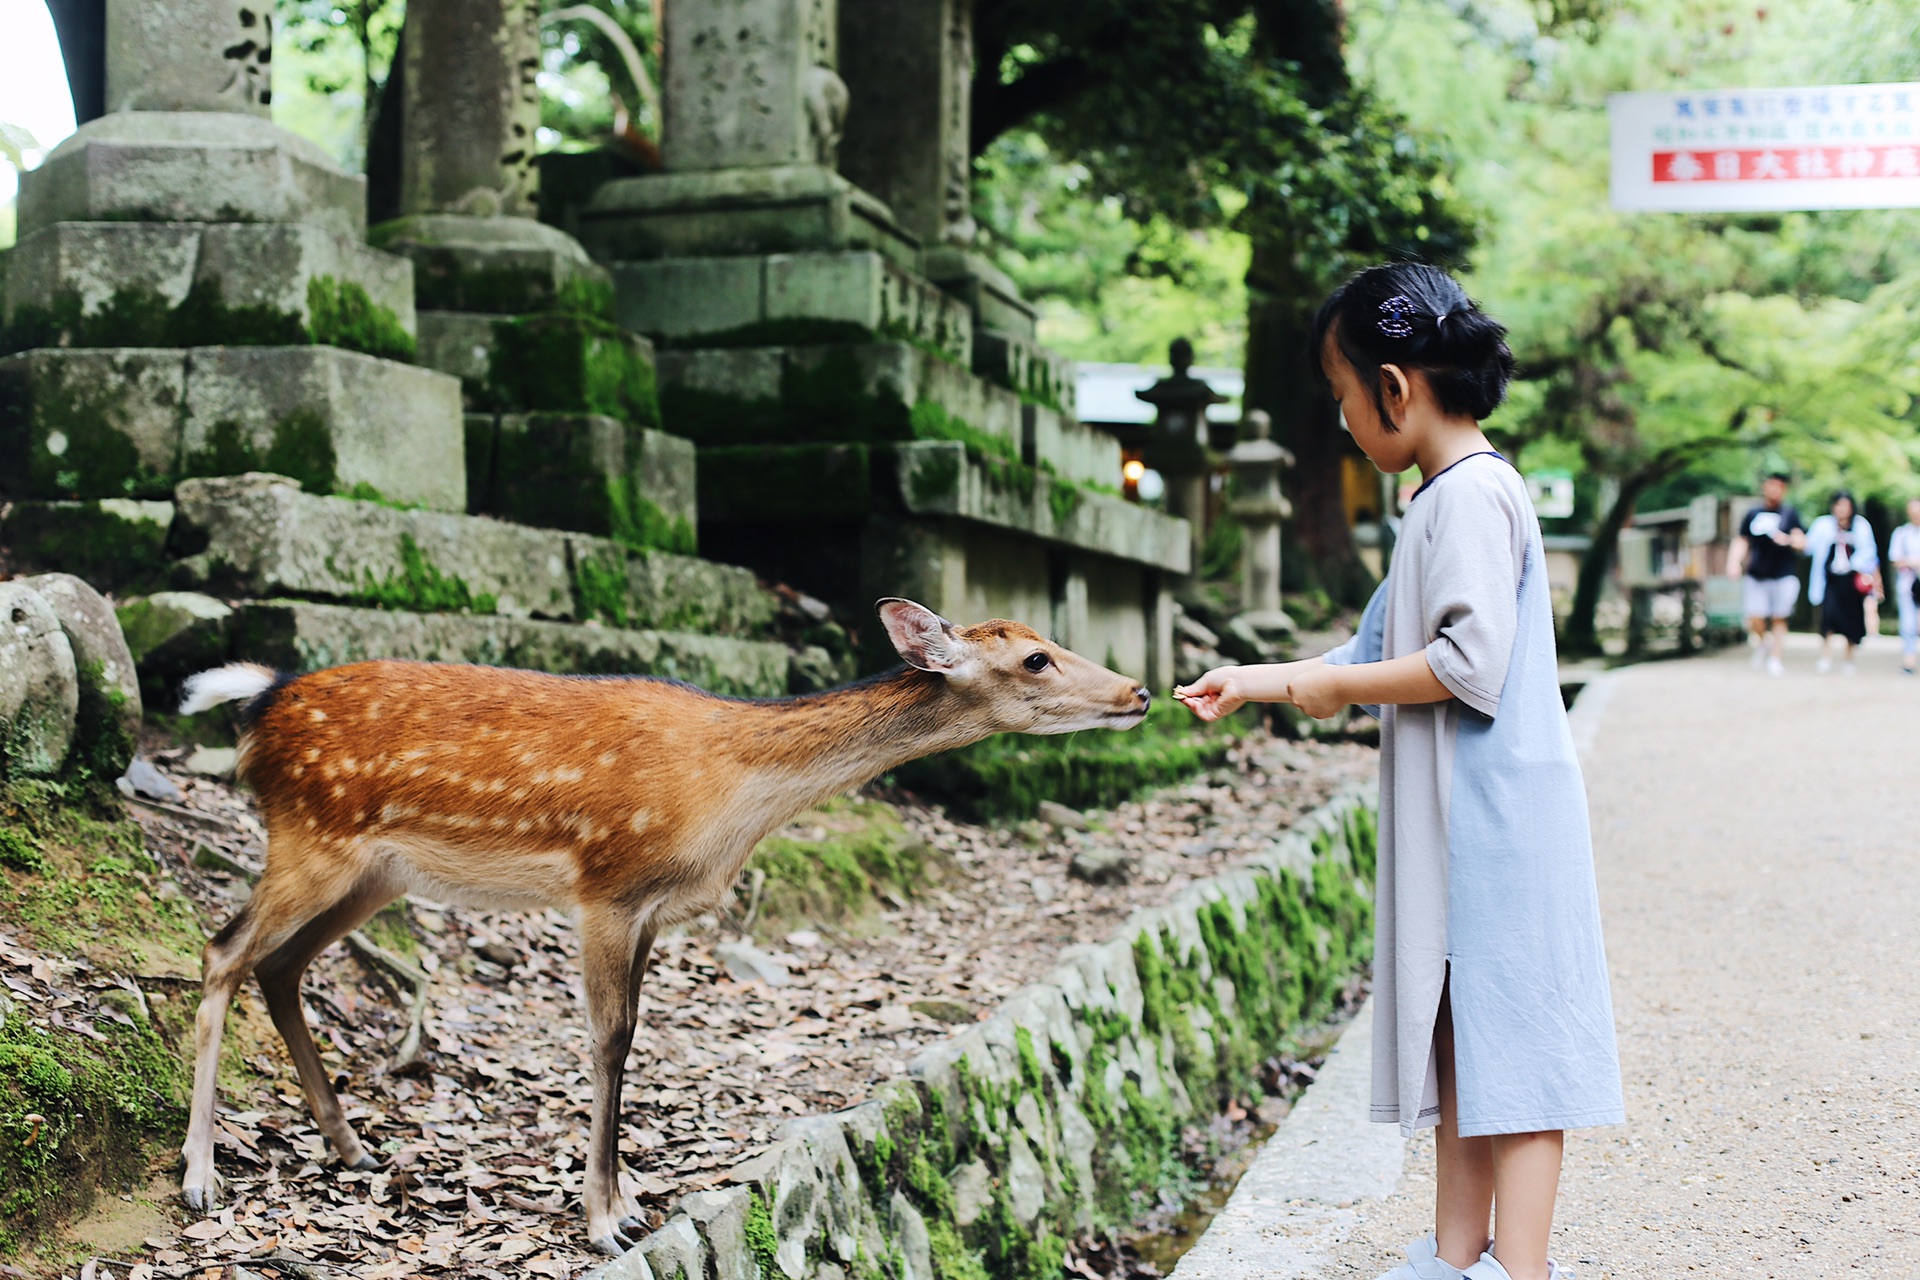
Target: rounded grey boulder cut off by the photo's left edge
x: 39, y: 684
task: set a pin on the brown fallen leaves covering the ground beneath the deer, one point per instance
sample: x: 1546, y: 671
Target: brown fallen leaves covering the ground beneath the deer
x: 485, y: 1141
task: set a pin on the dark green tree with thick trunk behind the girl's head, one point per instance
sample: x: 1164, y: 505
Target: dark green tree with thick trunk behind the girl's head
x: 1253, y: 126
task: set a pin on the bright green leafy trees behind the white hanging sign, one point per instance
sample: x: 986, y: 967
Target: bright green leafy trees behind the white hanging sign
x: 1669, y: 354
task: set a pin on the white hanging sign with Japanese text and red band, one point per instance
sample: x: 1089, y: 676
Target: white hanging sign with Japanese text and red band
x: 1748, y: 151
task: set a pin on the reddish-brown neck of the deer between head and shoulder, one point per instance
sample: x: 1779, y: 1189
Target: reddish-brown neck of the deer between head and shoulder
x: 825, y: 744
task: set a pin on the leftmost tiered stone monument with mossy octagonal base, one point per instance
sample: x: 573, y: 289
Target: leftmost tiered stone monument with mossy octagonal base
x: 191, y: 293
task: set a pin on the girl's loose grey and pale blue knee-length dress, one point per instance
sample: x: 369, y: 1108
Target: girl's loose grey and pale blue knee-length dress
x: 1487, y: 863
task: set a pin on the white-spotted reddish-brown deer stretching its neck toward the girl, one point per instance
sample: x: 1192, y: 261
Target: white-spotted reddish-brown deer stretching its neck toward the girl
x: 631, y: 803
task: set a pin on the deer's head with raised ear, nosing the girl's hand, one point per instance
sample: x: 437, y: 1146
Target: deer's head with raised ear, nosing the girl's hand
x: 1015, y: 678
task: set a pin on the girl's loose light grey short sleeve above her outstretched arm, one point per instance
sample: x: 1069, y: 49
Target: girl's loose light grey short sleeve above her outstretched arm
x: 1472, y: 590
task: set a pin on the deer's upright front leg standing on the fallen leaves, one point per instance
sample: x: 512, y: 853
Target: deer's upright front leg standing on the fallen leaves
x: 613, y: 953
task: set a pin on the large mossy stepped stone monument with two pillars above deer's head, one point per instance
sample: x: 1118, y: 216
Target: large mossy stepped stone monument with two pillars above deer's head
x: 865, y: 429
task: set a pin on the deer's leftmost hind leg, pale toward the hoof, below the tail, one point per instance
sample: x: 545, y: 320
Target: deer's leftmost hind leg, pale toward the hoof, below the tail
x: 281, y: 907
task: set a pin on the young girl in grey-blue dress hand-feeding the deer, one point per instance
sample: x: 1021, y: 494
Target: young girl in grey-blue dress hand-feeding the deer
x: 1493, y: 1016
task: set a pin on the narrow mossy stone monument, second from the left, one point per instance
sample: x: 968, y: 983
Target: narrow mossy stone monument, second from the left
x: 562, y: 408
